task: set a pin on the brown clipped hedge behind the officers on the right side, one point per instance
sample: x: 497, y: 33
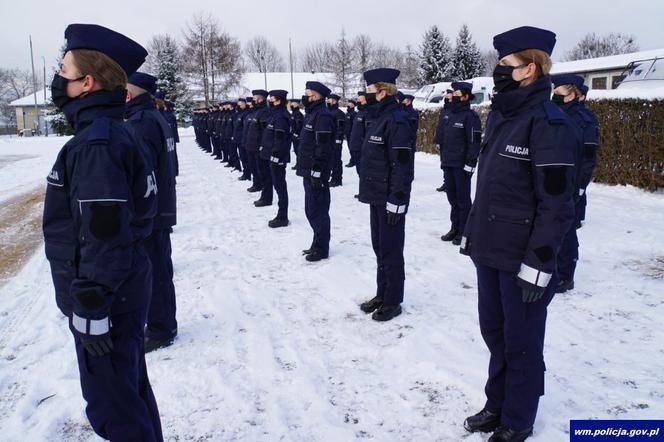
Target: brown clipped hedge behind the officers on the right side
x: 631, y: 140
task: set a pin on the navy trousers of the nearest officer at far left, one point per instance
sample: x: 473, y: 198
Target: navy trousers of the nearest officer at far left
x: 120, y: 402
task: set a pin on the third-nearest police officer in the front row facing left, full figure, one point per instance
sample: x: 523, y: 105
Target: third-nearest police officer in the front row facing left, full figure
x: 313, y: 165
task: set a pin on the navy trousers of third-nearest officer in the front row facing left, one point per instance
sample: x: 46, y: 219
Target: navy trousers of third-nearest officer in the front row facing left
x: 317, y: 210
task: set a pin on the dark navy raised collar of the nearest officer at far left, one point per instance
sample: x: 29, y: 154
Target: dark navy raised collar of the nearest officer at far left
x: 83, y: 111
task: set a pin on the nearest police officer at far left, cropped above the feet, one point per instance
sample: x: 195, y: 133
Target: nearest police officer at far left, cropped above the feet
x: 100, y: 200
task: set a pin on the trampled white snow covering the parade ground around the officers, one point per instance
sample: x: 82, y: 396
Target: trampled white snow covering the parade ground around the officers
x: 272, y: 348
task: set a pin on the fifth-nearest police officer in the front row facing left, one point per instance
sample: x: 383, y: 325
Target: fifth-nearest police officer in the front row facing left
x: 255, y: 123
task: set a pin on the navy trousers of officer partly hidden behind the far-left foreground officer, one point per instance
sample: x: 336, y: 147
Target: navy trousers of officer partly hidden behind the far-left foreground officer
x: 161, y: 323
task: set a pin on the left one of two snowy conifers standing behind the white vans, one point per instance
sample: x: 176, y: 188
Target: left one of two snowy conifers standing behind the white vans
x: 435, y: 57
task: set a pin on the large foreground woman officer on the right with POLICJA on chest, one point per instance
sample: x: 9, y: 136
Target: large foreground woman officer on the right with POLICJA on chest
x: 522, y: 210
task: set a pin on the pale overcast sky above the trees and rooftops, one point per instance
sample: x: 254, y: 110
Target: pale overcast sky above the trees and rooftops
x: 396, y: 22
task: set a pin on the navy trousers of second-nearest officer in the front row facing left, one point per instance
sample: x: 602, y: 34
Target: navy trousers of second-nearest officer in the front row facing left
x: 388, y: 243
